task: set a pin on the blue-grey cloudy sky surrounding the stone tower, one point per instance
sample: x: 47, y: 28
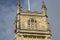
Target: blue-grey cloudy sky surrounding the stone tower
x: 8, y: 13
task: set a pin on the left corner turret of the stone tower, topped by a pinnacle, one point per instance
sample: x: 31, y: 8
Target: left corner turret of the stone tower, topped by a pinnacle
x: 17, y: 20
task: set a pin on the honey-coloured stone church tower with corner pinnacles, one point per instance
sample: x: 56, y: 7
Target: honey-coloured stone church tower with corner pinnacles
x: 32, y: 25
